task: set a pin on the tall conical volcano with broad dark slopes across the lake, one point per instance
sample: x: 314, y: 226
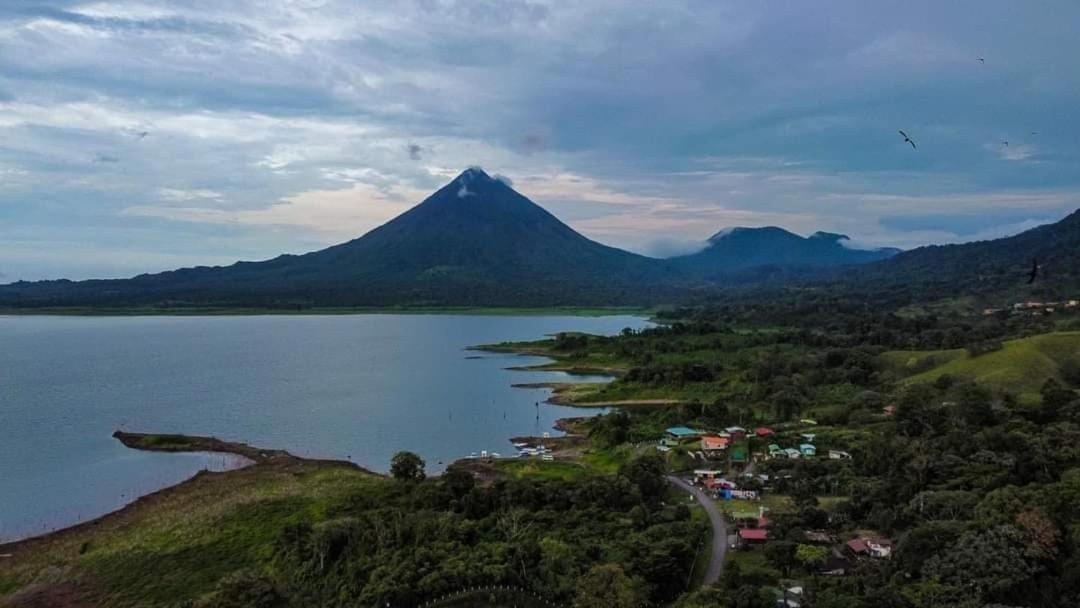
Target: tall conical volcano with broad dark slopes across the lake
x: 476, y: 241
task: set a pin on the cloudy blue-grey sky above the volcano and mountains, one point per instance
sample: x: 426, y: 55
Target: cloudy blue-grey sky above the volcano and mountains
x: 140, y: 137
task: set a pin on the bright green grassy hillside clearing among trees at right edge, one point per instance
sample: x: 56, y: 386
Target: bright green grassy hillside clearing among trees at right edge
x: 1021, y: 367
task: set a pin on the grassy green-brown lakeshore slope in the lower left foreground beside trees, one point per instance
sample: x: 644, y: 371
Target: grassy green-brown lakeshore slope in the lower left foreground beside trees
x: 178, y: 544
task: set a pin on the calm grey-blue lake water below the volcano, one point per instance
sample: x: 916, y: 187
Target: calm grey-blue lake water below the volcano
x: 358, y: 387
